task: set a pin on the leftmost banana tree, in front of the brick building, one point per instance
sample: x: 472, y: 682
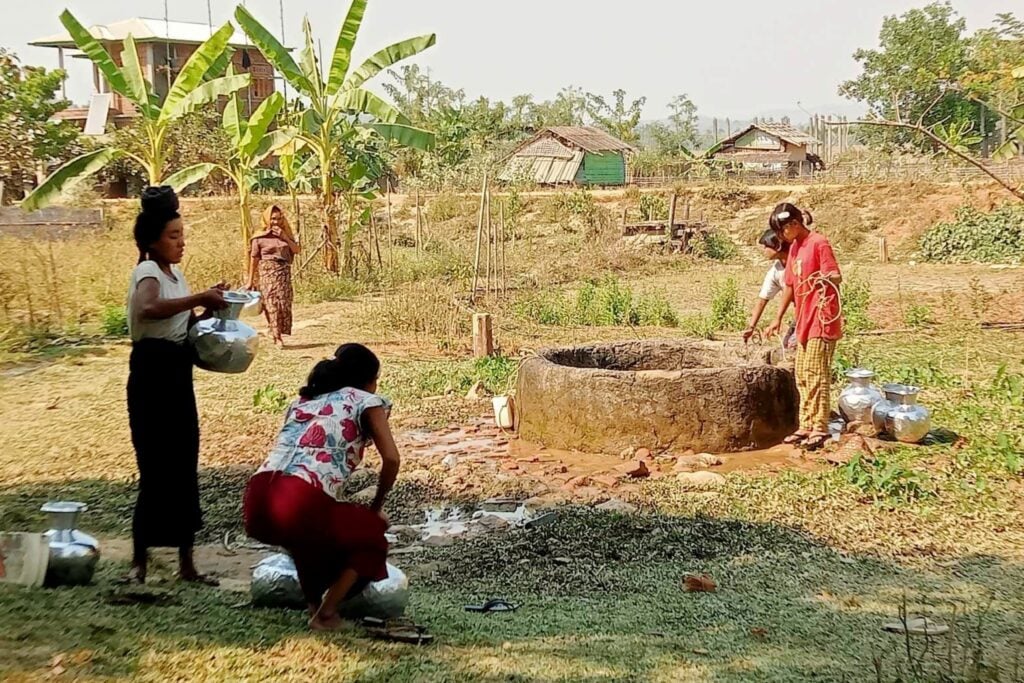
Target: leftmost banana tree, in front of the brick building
x: 200, y: 82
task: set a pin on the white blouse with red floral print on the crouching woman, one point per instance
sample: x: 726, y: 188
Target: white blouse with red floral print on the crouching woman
x: 323, y: 439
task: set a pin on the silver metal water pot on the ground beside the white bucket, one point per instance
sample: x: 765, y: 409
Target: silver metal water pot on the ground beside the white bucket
x: 74, y: 556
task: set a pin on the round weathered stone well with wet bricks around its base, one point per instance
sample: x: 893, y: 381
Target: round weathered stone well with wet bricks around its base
x: 659, y: 395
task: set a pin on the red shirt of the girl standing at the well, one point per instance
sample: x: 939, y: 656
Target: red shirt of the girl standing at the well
x: 817, y: 304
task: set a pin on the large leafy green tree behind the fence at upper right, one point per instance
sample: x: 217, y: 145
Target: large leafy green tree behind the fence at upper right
x: 908, y: 78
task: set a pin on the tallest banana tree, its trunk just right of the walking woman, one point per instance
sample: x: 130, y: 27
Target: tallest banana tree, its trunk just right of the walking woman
x: 338, y: 102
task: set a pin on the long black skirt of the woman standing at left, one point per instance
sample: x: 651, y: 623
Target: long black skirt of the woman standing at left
x: 164, y: 425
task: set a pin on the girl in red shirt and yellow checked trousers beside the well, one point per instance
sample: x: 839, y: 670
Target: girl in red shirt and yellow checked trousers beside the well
x: 813, y: 280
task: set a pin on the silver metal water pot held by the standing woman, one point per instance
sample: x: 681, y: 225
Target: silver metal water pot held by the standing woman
x: 223, y: 344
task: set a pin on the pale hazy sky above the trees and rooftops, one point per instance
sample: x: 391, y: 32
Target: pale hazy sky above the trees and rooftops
x: 737, y: 59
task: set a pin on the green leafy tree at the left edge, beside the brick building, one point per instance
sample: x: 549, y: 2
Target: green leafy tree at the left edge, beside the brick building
x: 28, y: 134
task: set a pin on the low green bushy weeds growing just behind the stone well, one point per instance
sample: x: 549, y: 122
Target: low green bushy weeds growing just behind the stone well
x: 602, y: 304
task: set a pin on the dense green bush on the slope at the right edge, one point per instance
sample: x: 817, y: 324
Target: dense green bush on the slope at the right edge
x: 977, y: 237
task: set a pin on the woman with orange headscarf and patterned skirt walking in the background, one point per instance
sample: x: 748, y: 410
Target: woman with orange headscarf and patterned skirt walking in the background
x: 273, y: 252
